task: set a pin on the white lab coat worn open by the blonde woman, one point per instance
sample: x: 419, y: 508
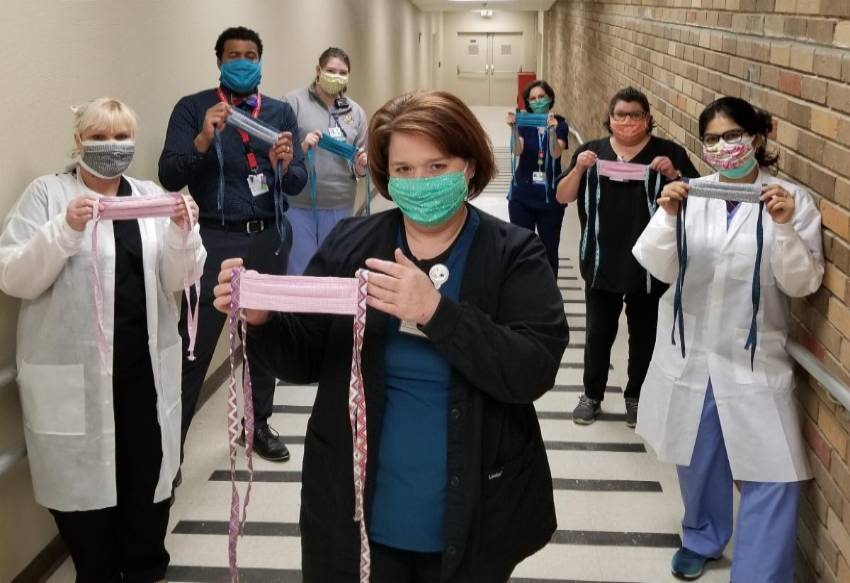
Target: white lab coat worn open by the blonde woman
x: 66, y: 394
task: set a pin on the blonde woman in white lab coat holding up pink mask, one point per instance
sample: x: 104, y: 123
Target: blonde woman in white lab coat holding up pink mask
x: 103, y: 438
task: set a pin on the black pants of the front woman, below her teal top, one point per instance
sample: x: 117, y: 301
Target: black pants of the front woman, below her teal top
x: 389, y: 565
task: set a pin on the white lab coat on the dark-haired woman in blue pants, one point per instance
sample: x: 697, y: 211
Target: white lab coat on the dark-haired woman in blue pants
x: 756, y: 406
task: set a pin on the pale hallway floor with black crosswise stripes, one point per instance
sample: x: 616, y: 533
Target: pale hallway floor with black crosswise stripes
x: 618, y: 507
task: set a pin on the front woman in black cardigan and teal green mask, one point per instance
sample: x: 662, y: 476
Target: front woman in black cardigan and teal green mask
x: 466, y: 328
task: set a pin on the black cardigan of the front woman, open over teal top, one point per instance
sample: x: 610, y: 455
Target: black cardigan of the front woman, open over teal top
x: 504, y: 340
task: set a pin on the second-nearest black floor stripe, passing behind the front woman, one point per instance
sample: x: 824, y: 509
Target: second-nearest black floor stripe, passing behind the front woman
x: 561, y: 537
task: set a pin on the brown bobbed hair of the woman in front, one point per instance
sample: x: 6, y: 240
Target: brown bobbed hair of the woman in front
x: 442, y: 117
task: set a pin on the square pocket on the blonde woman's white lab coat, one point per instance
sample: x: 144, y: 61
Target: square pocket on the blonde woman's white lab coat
x: 53, y: 398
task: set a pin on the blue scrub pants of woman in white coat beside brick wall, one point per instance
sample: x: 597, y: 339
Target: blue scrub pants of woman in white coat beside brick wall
x: 765, y: 542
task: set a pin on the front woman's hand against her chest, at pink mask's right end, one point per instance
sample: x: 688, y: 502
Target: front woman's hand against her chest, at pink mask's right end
x: 401, y: 289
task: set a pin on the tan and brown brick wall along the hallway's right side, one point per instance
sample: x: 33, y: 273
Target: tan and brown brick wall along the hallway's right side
x: 790, y: 57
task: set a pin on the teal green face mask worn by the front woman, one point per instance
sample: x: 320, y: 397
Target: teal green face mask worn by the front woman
x: 431, y: 200
